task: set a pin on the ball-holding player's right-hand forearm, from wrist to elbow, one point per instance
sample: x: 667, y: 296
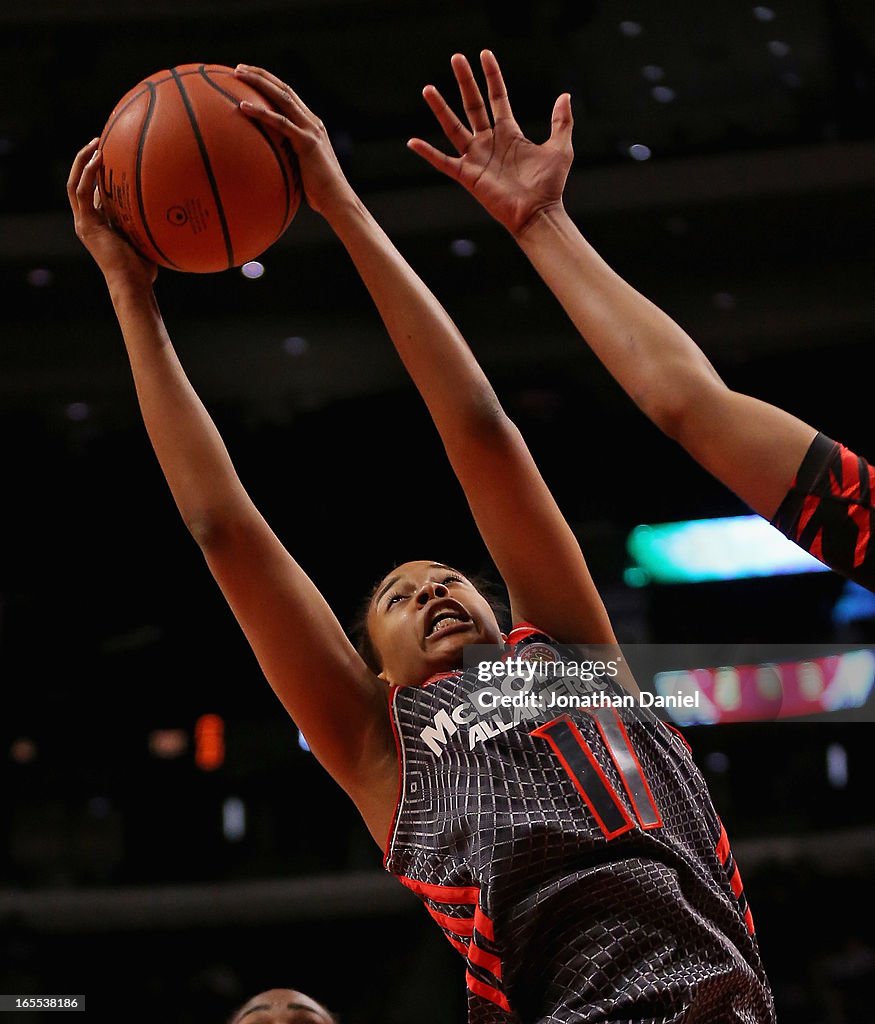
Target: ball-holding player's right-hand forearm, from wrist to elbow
x: 456, y: 392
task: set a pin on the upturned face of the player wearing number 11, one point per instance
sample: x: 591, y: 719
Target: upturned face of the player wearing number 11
x: 422, y: 617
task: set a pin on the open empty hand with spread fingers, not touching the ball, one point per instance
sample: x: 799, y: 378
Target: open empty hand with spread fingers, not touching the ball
x: 513, y: 178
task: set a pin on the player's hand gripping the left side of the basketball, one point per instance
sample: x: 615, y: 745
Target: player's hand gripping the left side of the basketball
x: 112, y: 253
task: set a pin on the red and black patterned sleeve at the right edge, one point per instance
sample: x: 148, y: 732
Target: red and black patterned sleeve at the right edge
x: 829, y: 510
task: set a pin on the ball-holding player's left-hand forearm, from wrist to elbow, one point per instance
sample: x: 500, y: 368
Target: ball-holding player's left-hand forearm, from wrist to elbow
x: 189, y: 448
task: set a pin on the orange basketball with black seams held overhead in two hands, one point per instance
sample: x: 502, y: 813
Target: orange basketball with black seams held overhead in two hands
x: 190, y: 181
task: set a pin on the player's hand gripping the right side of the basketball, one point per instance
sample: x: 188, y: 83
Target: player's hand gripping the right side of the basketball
x: 323, y: 181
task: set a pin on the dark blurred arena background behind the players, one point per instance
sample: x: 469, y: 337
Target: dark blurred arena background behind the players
x: 165, y: 890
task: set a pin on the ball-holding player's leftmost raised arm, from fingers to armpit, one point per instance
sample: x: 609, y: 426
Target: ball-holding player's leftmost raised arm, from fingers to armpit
x: 300, y: 645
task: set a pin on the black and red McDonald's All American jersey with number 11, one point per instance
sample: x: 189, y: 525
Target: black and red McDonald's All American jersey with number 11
x: 572, y: 856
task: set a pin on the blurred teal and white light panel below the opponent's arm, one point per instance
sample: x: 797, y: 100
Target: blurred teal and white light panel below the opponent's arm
x: 704, y: 550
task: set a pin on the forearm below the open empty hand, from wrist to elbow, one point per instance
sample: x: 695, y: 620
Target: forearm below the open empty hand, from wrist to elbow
x: 652, y: 359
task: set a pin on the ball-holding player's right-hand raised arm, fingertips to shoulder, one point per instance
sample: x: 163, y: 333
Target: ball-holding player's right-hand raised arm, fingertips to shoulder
x: 519, y: 521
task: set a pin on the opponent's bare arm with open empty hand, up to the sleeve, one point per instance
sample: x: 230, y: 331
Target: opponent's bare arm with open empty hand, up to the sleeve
x: 755, y: 448
